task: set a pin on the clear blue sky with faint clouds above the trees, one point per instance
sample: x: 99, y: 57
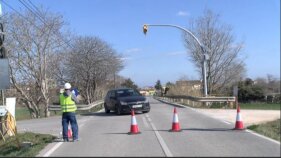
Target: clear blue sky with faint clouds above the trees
x: 161, y: 53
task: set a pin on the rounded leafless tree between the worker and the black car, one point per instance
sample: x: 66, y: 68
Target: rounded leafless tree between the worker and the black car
x: 91, y: 64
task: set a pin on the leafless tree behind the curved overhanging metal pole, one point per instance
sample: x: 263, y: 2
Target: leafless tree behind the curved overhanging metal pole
x: 224, y: 66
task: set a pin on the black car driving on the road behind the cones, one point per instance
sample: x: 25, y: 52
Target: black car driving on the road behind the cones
x: 122, y: 100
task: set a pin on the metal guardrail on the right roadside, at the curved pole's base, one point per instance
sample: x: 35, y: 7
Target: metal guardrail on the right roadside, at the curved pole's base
x: 203, y: 99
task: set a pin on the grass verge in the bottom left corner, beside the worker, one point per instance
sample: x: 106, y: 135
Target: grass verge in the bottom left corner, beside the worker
x: 9, y: 148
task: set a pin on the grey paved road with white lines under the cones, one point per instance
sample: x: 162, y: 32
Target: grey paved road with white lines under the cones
x: 106, y: 135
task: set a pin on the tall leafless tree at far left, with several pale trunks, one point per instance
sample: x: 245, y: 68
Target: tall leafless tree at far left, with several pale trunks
x: 30, y: 44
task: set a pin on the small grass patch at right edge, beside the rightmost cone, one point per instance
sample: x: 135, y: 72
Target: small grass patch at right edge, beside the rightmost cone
x: 270, y: 129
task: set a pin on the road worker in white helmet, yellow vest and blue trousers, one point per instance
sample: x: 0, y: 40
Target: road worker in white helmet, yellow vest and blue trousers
x: 68, y: 103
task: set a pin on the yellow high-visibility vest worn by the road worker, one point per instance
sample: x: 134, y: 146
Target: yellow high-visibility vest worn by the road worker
x: 67, y: 104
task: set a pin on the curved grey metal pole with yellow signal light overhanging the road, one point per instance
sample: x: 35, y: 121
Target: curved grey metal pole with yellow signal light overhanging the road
x: 203, y: 48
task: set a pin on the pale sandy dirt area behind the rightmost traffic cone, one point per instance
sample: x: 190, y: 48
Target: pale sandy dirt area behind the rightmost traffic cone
x: 249, y: 117
